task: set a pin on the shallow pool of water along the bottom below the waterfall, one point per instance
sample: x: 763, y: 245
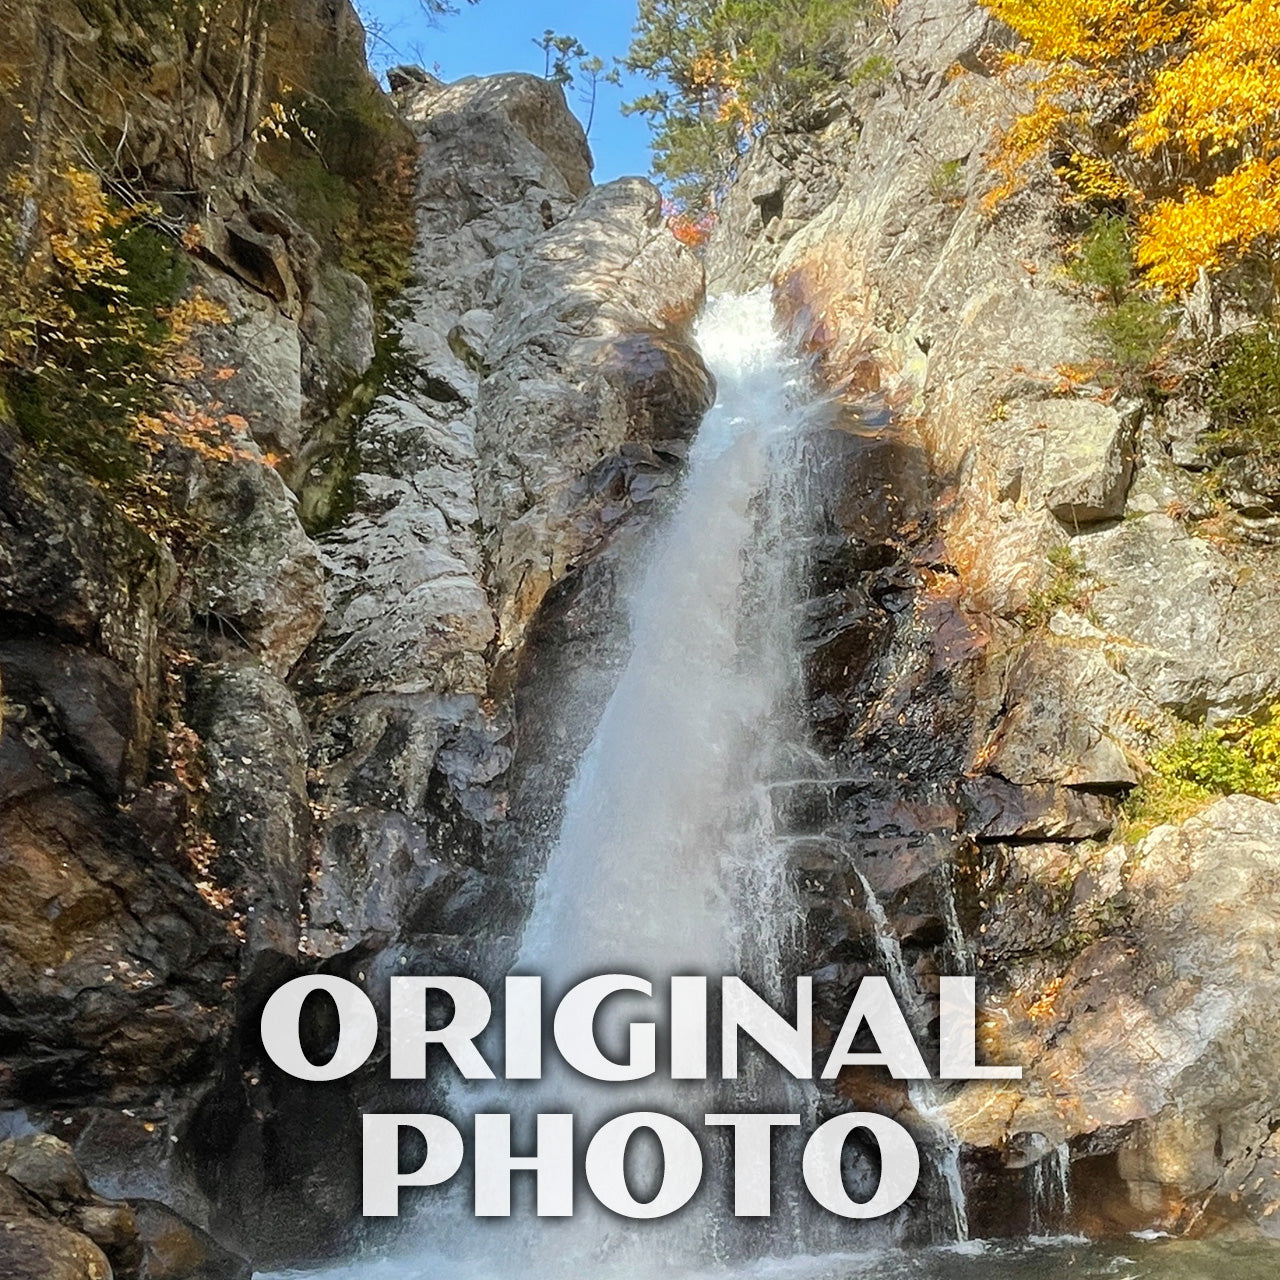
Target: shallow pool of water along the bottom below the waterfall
x: 1058, y: 1259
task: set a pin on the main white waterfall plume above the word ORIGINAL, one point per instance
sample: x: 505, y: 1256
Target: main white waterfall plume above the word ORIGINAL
x: 664, y: 860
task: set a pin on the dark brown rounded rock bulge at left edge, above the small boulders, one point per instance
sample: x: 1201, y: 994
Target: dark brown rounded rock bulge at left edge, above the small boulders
x: 112, y: 964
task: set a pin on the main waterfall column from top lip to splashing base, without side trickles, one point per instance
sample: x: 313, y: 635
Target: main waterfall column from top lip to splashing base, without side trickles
x: 668, y: 861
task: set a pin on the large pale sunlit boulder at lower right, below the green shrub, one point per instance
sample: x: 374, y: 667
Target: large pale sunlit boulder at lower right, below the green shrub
x: 1155, y: 1048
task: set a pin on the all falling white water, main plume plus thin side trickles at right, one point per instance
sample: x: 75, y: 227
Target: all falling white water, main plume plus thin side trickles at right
x: 668, y: 862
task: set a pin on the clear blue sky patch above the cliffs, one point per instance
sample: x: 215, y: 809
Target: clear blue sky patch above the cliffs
x: 499, y: 36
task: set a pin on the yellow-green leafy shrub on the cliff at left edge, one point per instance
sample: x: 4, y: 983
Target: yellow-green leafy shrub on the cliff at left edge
x: 95, y: 331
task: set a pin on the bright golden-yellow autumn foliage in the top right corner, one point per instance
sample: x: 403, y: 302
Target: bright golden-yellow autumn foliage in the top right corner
x: 1168, y: 107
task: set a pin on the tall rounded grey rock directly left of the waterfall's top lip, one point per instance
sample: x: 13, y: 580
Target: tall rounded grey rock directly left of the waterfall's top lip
x: 589, y: 351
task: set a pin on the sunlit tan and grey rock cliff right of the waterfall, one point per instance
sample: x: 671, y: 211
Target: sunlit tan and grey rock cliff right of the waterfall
x: 1014, y: 615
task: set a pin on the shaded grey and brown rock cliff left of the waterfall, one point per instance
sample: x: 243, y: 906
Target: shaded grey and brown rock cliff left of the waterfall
x: 230, y: 760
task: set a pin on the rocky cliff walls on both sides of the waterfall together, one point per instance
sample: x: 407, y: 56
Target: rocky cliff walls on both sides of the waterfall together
x: 323, y: 725
